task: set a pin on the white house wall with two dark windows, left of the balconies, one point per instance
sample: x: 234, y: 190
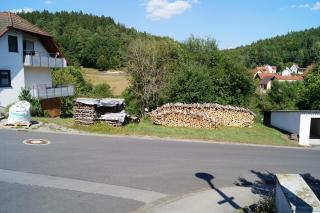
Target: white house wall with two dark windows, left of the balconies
x: 13, y: 62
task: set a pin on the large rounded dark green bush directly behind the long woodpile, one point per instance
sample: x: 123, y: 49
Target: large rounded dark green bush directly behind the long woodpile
x: 195, y: 83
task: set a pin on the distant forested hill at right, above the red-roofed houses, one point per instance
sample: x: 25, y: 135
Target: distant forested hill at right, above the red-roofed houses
x: 295, y: 47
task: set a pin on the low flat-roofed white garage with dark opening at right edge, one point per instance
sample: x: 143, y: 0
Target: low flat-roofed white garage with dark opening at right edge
x: 304, y: 123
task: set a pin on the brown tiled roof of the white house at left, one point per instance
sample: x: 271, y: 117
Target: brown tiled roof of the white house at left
x: 10, y: 20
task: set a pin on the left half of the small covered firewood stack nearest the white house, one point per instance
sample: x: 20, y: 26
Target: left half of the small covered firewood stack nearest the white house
x: 84, y: 114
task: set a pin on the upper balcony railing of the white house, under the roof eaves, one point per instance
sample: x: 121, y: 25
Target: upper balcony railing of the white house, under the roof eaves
x: 35, y: 59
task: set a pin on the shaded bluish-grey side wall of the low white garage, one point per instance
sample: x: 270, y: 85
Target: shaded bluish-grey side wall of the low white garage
x: 288, y: 121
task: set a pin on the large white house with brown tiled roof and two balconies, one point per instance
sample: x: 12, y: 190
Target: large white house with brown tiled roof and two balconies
x: 27, y: 55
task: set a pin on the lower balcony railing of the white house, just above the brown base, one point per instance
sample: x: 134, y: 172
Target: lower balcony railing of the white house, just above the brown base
x: 48, y: 91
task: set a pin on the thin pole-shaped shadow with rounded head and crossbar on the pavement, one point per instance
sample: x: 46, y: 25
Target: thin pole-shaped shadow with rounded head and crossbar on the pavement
x: 208, y: 178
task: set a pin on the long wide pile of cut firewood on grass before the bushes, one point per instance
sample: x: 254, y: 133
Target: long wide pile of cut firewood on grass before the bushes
x: 201, y: 116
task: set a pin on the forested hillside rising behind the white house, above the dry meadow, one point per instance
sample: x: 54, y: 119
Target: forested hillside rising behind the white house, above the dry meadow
x: 87, y: 40
